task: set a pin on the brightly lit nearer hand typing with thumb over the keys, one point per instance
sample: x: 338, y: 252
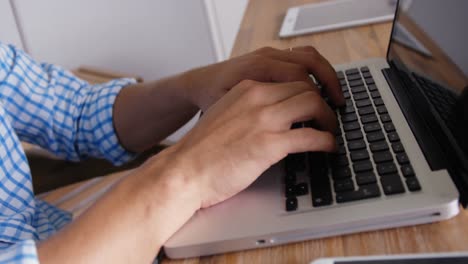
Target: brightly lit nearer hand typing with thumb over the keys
x: 246, y: 132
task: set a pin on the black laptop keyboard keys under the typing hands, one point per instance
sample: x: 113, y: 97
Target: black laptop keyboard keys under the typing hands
x: 370, y: 161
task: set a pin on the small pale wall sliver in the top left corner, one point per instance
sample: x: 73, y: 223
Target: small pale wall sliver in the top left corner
x: 8, y: 31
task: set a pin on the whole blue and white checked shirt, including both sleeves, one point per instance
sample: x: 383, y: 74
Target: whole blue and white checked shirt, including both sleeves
x: 46, y: 105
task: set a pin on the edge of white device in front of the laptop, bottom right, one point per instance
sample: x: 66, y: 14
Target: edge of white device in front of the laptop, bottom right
x: 434, y: 258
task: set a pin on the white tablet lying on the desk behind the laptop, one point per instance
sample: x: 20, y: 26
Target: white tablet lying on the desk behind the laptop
x: 335, y: 14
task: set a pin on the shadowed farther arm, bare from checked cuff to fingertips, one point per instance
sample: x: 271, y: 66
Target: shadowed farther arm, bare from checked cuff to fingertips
x: 146, y: 113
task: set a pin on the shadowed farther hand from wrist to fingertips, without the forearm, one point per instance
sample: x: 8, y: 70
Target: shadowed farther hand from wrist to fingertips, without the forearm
x: 210, y: 83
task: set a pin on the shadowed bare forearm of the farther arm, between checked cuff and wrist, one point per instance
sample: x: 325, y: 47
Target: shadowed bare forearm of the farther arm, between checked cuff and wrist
x: 146, y: 113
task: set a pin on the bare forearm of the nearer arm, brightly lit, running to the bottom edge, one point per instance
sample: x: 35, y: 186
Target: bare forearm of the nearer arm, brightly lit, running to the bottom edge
x: 131, y: 222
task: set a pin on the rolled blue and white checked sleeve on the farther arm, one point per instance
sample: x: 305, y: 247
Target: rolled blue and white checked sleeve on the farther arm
x: 50, y: 107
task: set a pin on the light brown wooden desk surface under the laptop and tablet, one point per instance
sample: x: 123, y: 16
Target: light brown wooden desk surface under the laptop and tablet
x: 260, y: 28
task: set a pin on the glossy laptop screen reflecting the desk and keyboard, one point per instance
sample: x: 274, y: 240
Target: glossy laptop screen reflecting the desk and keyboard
x: 429, y: 48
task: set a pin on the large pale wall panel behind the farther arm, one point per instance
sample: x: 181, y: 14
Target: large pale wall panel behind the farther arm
x: 145, y: 37
